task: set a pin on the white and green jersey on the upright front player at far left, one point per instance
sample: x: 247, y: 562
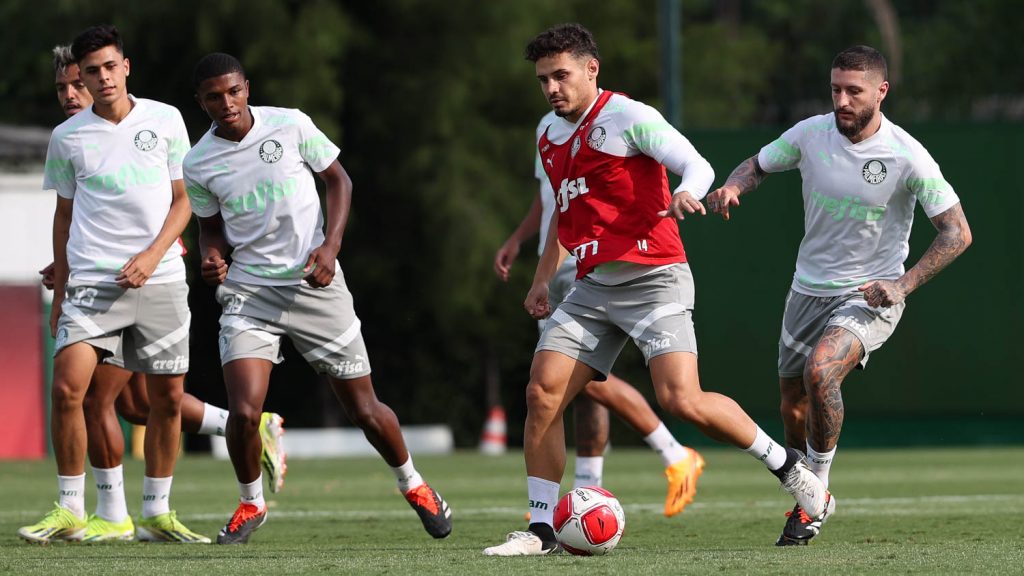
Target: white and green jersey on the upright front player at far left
x: 119, y: 177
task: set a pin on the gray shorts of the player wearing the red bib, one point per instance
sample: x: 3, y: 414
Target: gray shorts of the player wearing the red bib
x: 594, y: 321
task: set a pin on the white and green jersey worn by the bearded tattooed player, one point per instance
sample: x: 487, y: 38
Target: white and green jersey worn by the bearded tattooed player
x: 859, y: 201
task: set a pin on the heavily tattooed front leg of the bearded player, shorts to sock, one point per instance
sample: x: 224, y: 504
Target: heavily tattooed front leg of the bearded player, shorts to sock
x: 836, y: 355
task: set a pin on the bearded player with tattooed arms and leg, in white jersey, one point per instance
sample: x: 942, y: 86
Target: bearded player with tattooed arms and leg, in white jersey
x: 863, y: 177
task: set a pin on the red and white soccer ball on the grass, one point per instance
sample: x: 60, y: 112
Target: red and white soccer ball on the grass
x: 589, y: 521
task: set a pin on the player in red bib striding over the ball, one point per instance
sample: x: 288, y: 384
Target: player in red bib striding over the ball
x: 606, y: 156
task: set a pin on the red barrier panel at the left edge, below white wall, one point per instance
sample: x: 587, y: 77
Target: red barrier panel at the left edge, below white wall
x: 23, y: 403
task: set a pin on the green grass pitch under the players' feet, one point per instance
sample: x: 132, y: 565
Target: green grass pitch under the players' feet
x: 908, y: 512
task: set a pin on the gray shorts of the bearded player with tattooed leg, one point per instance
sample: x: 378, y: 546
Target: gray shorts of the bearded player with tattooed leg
x: 806, y: 318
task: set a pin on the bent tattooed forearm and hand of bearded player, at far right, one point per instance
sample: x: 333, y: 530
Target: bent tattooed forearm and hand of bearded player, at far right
x: 953, y: 239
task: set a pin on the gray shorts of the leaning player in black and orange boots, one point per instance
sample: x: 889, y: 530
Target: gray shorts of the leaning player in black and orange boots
x: 321, y: 322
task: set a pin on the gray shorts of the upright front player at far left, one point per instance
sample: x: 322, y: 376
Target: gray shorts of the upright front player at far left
x: 146, y: 328
